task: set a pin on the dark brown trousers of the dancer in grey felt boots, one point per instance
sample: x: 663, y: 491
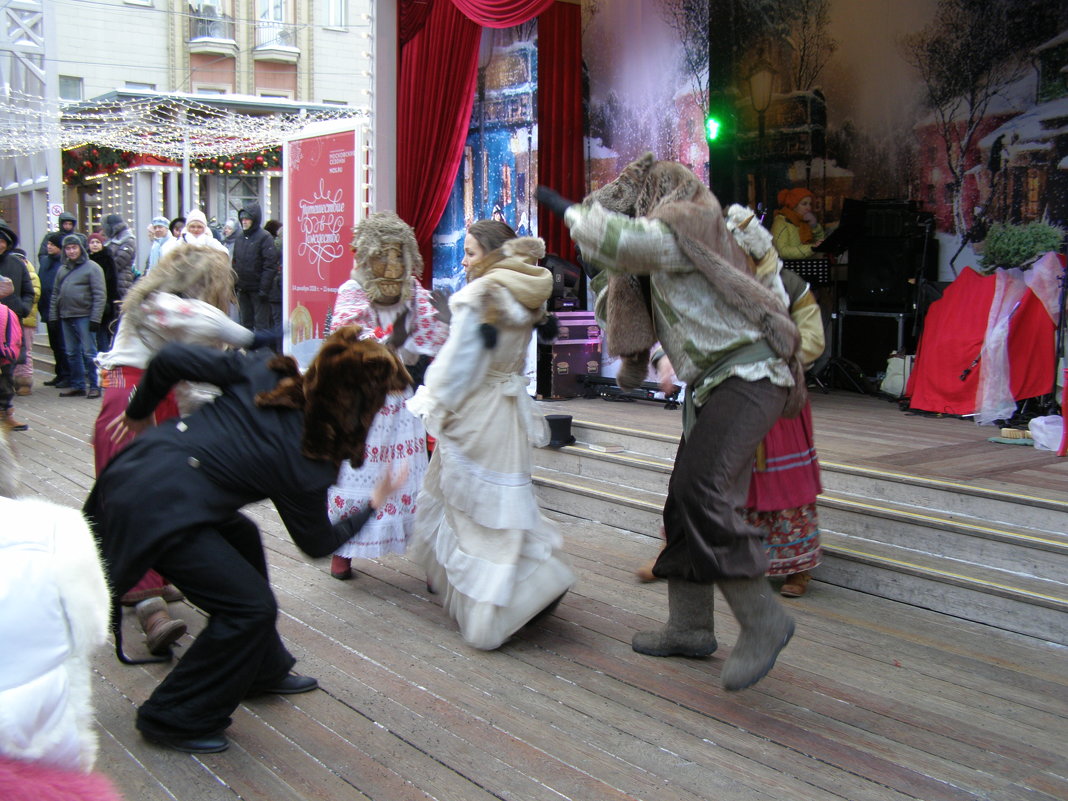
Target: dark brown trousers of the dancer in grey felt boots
x: 708, y: 537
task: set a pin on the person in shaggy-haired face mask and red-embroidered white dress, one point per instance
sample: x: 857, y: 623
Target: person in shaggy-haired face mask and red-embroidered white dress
x: 384, y: 297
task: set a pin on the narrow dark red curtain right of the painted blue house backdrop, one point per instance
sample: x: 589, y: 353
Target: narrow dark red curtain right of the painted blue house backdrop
x: 560, y: 122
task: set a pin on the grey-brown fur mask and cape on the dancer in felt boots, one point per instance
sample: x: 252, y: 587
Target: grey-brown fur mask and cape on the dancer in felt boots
x: 670, y: 193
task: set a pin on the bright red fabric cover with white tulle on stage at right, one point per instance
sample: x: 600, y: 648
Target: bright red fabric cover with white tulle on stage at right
x: 954, y: 333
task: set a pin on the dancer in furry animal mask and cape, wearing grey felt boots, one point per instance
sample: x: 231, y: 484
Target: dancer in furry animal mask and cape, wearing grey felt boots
x: 677, y: 275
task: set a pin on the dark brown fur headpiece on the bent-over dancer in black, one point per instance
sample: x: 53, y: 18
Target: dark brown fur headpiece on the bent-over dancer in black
x: 340, y: 395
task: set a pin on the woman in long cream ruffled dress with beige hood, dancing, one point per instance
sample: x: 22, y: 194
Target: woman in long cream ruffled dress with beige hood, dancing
x: 485, y: 546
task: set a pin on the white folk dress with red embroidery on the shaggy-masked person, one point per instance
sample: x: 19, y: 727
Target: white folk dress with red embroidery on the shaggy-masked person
x: 396, y: 434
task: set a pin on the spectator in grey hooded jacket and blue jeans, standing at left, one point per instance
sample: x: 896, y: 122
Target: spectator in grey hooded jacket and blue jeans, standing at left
x: 78, y: 302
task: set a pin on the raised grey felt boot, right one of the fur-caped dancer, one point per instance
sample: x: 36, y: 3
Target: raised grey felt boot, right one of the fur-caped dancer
x: 765, y: 631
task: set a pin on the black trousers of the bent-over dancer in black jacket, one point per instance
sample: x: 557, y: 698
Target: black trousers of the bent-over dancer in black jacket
x: 222, y: 570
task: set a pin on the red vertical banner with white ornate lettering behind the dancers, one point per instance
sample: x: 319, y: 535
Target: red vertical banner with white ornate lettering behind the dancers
x: 322, y: 203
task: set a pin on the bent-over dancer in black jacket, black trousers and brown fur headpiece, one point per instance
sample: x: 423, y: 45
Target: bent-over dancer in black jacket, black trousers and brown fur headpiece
x: 171, y: 501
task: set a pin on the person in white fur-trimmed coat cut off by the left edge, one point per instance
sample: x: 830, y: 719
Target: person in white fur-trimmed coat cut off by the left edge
x: 54, y: 614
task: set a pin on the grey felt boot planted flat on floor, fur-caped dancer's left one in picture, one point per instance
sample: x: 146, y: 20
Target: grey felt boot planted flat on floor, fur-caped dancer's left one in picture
x: 690, y: 630
